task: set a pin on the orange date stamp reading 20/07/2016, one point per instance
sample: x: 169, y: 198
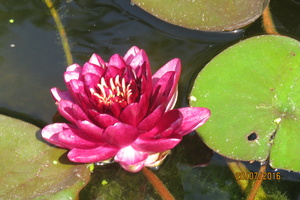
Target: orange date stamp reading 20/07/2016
x: 257, y: 175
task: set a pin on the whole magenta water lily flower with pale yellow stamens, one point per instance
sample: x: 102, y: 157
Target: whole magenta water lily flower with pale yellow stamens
x: 119, y: 110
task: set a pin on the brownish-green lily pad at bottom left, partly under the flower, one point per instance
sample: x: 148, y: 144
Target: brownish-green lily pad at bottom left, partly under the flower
x: 31, y: 169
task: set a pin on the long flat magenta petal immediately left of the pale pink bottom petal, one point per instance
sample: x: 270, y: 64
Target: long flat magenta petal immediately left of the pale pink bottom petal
x: 98, y: 154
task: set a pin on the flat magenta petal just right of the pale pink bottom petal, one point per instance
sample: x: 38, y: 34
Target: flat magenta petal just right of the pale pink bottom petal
x: 155, y: 145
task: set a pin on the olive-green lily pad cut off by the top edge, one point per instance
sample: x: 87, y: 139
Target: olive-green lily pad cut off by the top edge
x: 207, y: 15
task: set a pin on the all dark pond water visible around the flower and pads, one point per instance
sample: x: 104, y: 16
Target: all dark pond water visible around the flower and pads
x: 32, y: 61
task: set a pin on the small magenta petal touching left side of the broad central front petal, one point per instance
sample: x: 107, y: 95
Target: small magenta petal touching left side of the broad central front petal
x: 91, y: 129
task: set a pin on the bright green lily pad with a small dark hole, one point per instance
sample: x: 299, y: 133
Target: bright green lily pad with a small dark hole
x: 253, y: 91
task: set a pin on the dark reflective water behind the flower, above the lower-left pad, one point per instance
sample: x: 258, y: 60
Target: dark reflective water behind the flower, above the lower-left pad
x: 32, y: 59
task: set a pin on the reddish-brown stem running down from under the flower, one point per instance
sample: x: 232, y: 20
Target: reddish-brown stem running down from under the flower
x: 158, y: 185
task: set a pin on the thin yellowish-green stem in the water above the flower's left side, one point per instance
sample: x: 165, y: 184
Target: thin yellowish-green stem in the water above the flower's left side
x: 62, y: 32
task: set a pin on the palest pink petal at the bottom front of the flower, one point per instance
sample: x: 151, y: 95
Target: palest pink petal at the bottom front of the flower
x: 130, y: 156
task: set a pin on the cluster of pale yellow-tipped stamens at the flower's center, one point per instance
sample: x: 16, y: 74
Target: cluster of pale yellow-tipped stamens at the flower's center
x: 116, y: 91
